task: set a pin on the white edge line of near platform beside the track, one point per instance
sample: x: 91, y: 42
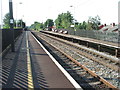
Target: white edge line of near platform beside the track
x: 75, y: 84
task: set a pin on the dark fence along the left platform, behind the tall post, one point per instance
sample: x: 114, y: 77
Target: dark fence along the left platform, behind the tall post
x: 7, y: 37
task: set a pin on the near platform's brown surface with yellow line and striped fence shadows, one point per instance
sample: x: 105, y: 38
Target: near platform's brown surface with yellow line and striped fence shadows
x: 31, y: 67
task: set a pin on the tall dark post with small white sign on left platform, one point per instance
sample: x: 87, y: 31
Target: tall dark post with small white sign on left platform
x: 11, y: 25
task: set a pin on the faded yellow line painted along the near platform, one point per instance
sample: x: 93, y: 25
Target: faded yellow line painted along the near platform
x: 30, y: 79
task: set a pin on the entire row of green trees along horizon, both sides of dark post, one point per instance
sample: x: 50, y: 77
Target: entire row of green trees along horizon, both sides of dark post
x: 63, y: 21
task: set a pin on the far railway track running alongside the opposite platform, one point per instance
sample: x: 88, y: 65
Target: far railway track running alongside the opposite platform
x: 112, y: 62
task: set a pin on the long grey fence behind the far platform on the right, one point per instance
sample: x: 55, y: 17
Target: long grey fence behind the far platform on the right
x: 95, y: 34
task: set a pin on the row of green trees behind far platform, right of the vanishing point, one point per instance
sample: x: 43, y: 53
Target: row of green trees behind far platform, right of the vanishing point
x: 65, y: 20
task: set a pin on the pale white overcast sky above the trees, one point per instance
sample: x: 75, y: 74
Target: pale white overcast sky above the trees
x: 40, y: 10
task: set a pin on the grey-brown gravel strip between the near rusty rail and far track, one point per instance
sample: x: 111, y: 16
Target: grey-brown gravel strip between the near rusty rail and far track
x: 101, y: 70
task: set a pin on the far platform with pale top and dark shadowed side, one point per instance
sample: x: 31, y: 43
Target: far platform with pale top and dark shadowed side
x: 102, y: 46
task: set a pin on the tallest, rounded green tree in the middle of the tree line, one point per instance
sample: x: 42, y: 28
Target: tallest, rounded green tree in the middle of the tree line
x: 64, y: 20
